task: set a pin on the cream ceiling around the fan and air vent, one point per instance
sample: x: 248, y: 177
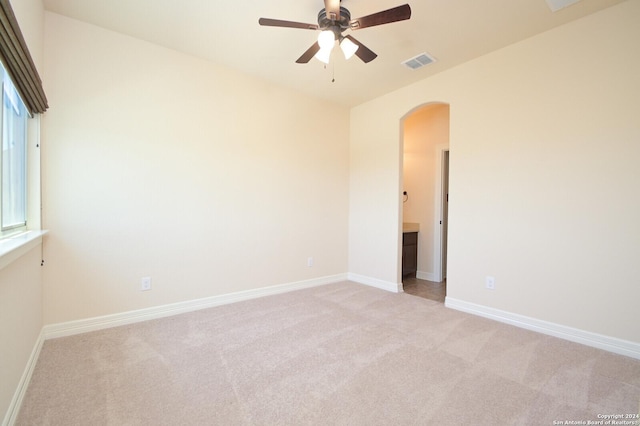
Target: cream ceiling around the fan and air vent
x: 227, y: 33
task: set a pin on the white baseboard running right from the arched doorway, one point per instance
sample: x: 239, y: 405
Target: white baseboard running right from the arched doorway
x: 611, y: 344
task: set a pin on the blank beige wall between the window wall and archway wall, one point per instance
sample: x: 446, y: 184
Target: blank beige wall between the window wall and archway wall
x: 160, y: 164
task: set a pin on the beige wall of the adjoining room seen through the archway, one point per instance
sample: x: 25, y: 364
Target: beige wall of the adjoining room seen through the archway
x: 426, y: 132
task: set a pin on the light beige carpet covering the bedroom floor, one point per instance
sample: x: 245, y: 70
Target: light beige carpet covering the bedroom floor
x: 341, y: 354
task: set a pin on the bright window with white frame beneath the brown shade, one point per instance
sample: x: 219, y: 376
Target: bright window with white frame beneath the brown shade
x: 13, y: 173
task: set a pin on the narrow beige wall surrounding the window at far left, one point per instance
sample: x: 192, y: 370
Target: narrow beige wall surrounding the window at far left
x: 21, y: 281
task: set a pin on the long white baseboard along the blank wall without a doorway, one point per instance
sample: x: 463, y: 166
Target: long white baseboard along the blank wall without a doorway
x: 107, y: 321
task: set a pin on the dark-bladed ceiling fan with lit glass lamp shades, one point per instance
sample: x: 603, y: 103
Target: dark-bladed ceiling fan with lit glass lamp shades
x: 333, y: 20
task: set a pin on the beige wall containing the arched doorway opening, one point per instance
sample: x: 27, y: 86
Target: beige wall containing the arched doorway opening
x: 544, y: 175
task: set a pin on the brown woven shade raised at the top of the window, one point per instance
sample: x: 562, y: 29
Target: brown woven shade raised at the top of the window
x: 18, y: 63
